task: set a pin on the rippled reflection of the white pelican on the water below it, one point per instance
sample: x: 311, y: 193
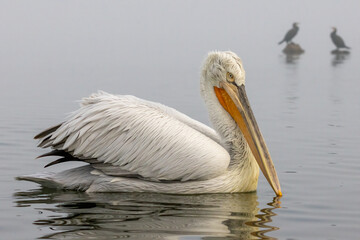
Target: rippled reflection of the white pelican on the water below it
x: 77, y: 215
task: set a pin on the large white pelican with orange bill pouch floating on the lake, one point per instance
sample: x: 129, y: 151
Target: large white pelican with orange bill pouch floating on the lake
x: 134, y: 145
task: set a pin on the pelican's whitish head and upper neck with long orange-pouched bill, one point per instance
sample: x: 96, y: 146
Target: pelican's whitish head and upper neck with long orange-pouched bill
x: 223, y: 87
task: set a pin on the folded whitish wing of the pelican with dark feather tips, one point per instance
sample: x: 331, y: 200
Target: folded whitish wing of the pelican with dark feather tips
x: 138, y: 137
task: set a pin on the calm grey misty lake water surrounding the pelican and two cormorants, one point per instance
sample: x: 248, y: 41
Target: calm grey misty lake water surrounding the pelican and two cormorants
x: 308, y: 108
